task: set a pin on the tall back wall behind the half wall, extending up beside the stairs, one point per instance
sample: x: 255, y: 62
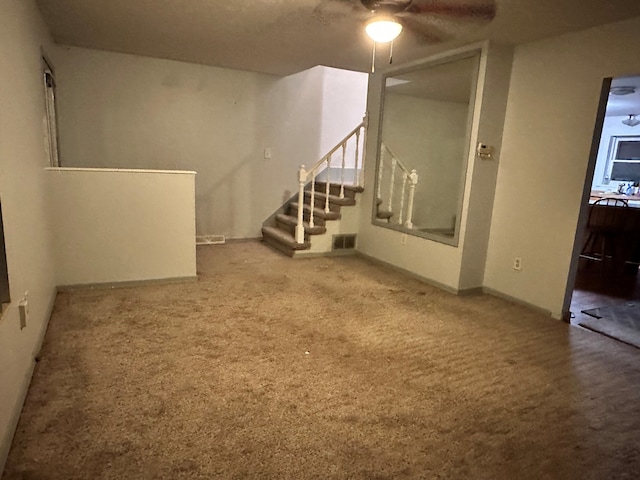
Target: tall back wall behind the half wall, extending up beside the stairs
x: 126, y: 111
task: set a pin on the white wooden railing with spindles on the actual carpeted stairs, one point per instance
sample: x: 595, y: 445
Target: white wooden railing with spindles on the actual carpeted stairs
x: 357, y: 135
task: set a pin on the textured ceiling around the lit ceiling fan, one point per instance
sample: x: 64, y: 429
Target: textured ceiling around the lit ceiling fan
x: 286, y: 36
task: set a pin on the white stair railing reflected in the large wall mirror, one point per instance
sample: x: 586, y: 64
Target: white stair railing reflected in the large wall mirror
x: 409, y: 178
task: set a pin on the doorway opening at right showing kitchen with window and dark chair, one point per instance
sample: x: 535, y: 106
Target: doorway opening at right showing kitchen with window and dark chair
x: 605, y: 285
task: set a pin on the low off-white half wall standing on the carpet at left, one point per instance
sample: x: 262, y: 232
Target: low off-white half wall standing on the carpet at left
x: 123, y: 225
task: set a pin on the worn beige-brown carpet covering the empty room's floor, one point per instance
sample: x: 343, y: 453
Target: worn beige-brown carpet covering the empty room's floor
x: 327, y: 368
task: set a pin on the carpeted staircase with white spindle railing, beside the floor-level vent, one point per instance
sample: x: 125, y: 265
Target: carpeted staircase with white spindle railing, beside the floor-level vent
x: 322, y: 194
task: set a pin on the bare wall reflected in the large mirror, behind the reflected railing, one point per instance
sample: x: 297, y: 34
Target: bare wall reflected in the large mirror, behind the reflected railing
x: 429, y: 136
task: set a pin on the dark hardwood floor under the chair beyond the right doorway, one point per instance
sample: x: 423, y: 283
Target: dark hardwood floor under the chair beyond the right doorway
x: 597, y: 288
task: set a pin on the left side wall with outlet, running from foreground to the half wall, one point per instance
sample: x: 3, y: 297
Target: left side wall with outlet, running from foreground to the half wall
x: 28, y: 237
